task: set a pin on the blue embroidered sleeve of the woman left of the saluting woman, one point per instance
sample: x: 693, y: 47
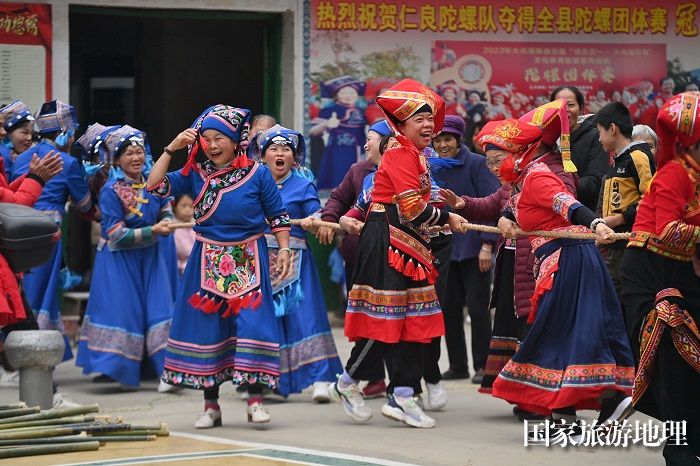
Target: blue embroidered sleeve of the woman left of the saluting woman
x: 114, y: 230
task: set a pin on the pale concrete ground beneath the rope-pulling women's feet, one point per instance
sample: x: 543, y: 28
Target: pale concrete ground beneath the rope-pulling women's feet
x: 474, y: 429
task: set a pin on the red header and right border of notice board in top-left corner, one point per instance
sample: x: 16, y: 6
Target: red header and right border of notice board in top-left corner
x: 28, y: 24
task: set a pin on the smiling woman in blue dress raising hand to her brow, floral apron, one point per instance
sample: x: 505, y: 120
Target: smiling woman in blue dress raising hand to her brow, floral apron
x: 224, y: 325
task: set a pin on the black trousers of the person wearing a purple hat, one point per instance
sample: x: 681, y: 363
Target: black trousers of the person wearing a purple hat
x: 467, y: 283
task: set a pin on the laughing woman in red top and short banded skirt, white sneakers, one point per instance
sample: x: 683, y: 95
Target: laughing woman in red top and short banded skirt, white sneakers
x: 393, y: 303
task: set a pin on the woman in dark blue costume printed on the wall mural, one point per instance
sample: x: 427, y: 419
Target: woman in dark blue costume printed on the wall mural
x: 345, y: 123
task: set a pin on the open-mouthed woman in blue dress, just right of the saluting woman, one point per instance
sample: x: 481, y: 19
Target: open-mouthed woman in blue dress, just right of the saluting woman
x: 307, y: 351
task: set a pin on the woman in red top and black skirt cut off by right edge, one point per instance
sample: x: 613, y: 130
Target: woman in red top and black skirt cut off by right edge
x: 660, y: 289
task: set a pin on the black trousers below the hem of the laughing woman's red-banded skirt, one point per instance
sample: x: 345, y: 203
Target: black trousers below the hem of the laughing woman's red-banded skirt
x: 406, y: 361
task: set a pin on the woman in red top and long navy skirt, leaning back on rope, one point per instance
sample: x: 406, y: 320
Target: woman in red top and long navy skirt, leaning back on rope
x: 587, y: 362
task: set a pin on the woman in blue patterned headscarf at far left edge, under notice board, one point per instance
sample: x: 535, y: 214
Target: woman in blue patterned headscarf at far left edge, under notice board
x: 19, y: 124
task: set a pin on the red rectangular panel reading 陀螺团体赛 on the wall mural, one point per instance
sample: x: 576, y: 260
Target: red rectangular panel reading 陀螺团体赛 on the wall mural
x: 535, y: 68
